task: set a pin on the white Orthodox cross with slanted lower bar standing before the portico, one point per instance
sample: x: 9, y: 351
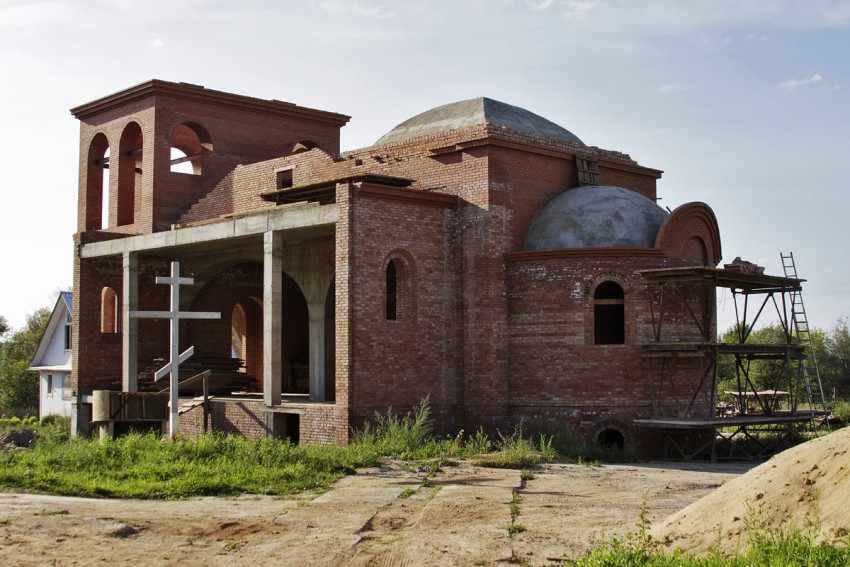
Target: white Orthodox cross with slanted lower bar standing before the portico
x: 176, y: 357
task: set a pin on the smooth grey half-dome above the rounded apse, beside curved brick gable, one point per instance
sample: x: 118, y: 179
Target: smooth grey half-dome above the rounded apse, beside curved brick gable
x: 595, y: 216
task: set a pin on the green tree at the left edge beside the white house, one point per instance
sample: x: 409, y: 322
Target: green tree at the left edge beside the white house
x: 18, y: 384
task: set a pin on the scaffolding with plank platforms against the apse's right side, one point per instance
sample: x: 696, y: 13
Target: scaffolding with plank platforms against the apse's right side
x: 682, y: 361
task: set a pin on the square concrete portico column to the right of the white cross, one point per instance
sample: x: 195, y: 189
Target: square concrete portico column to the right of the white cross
x: 272, y: 324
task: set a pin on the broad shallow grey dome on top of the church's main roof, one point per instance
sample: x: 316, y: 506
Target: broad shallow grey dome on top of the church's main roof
x: 477, y: 111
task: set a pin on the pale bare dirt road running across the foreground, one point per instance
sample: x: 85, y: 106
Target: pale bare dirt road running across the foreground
x: 386, y: 516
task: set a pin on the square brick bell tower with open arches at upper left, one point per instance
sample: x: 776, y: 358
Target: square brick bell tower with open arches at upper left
x: 148, y: 153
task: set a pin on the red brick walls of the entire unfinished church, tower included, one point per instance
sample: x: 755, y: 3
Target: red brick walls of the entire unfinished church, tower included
x: 489, y: 341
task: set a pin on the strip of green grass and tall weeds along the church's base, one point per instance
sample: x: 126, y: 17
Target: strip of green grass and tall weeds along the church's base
x: 147, y: 466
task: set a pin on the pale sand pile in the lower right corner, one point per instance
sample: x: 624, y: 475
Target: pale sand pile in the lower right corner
x: 805, y: 488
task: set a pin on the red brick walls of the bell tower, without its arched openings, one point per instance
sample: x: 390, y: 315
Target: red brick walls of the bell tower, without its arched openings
x: 238, y: 134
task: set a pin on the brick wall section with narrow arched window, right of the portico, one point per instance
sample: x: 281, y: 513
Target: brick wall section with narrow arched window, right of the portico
x: 399, y: 362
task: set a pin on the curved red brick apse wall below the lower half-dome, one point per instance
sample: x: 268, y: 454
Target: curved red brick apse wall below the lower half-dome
x: 557, y: 373
